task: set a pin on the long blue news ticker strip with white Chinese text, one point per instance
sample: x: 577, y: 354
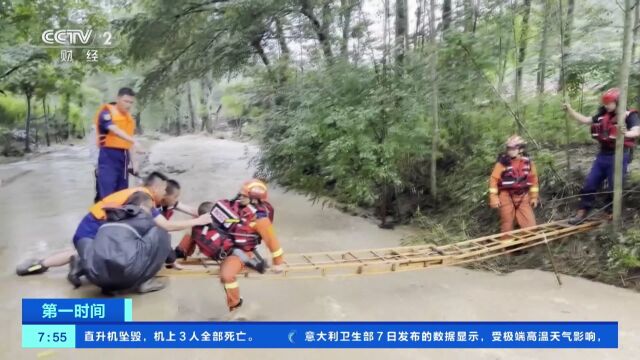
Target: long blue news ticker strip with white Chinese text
x: 348, y: 335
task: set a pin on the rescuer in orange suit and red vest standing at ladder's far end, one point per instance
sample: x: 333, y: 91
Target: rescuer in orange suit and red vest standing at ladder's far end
x: 513, y: 186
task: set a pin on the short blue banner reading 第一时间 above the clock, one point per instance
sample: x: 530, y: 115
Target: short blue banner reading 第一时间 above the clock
x: 76, y: 311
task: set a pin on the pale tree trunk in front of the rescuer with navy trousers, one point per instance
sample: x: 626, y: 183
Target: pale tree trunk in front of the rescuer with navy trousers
x: 622, y: 107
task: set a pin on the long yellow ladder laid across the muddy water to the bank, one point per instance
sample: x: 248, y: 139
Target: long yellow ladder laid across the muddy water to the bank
x: 396, y: 259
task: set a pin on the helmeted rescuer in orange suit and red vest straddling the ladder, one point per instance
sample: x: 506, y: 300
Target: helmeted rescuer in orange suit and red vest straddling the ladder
x: 239, y: 226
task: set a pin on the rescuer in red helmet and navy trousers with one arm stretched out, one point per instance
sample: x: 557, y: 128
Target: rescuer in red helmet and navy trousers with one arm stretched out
x: 604, y: 130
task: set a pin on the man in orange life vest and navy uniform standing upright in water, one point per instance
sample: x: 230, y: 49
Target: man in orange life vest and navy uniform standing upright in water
x: 114, y: 129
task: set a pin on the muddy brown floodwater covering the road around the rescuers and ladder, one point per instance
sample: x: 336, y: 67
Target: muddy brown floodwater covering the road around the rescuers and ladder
x: 48, y: 196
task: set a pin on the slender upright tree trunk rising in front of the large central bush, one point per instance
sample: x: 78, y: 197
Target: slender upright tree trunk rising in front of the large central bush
x: 434, y: 101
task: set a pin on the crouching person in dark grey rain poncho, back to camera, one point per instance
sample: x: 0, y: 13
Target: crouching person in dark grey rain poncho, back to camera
x: 127, y: 251
